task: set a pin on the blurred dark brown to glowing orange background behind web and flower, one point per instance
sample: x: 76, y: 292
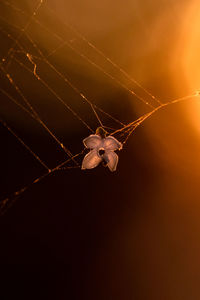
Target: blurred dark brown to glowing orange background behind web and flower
x: 132, y: 234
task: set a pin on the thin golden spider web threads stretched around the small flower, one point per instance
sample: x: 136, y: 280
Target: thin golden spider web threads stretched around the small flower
x: 125, y: 129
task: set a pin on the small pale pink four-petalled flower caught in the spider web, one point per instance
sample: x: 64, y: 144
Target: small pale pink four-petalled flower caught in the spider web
x: 101, y: 150
